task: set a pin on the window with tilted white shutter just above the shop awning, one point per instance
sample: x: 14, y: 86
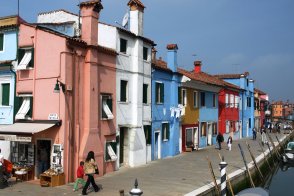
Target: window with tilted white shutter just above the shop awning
x: 25, y: 110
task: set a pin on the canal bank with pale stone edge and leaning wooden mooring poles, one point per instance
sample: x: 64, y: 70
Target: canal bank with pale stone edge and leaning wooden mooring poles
x: 259, y: 172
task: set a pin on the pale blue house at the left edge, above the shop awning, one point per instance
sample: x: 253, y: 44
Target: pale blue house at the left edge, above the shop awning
x: 8, y: 55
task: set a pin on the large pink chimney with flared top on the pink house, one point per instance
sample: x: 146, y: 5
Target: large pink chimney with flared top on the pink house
x: 90, y: 16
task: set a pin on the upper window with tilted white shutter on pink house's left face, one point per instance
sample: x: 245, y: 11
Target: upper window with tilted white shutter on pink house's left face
x: 26, y: 58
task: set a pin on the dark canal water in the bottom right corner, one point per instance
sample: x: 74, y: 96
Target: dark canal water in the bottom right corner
x: 281, y: 183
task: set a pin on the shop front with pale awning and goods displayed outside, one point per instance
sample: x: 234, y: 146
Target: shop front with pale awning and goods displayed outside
x: 29, y: 156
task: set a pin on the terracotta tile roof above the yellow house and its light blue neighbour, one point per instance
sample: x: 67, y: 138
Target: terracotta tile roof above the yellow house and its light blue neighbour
x: 202, y: 77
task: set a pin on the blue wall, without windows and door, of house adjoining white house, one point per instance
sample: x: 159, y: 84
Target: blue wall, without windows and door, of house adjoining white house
x: 161, y: 112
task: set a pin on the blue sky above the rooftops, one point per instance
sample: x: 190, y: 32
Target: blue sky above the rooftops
x: 228, y: 36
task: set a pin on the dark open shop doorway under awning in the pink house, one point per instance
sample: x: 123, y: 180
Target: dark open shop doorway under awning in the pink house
x: 43, y: 156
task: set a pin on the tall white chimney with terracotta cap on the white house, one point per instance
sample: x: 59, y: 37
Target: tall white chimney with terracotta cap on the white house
x: 136, y: 16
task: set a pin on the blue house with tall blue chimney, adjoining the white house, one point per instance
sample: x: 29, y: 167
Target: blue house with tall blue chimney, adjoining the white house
x: 165, y: 110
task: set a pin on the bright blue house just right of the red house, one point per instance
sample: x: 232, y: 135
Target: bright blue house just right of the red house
x: 246, y: 107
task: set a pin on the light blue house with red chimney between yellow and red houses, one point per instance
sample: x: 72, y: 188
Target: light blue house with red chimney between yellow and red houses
x: 206, y: 88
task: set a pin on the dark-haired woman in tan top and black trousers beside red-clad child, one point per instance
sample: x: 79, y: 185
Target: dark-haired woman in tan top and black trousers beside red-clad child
x: 89, y: 167
